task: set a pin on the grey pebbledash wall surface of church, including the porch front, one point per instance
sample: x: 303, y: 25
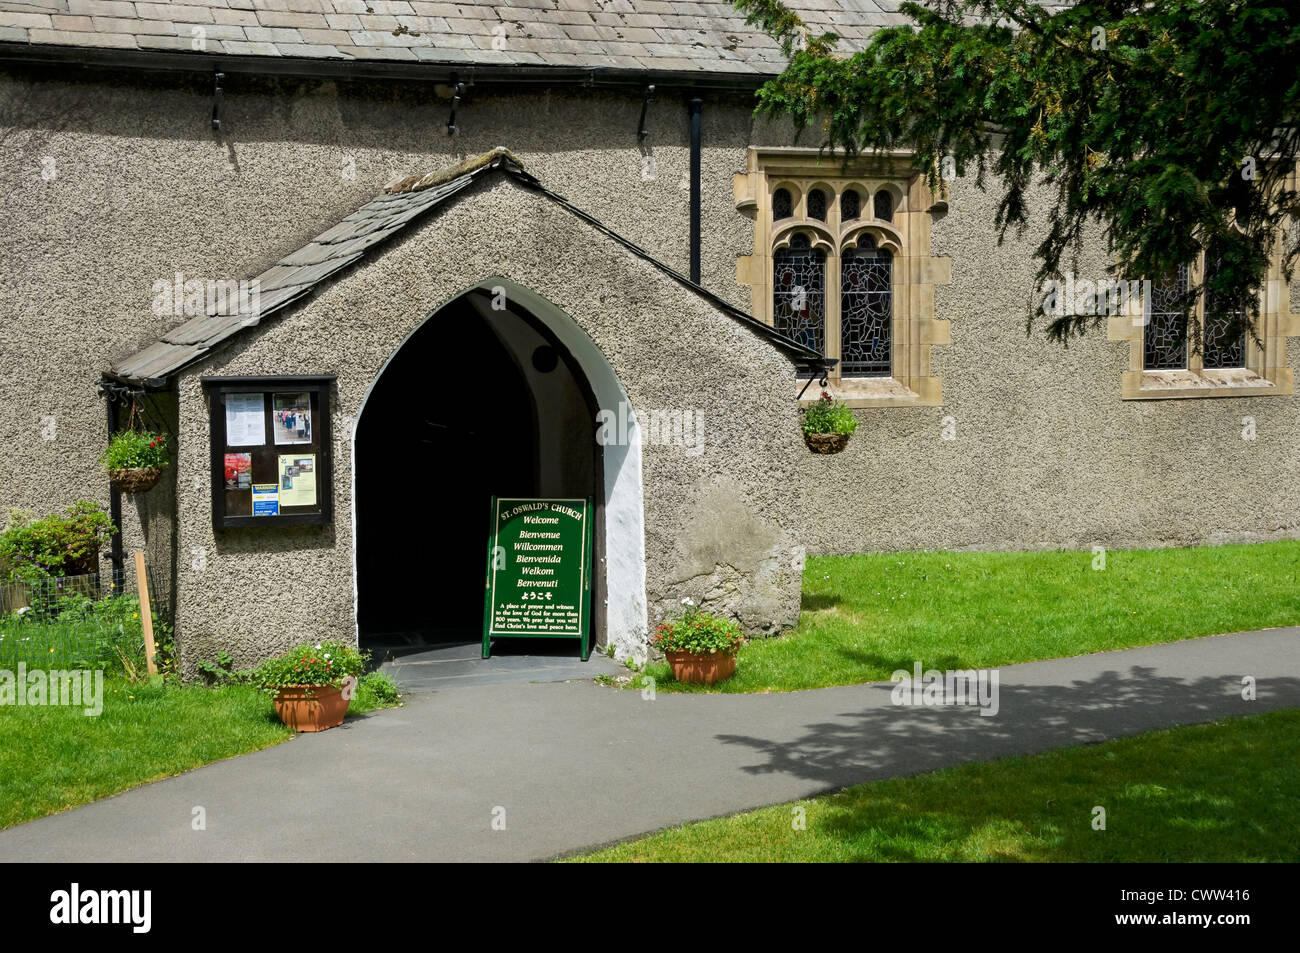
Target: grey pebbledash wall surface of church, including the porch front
x: 1045, y: 452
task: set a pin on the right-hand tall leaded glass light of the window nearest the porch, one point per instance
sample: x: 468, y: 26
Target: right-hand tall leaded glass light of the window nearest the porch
x: 866, y: 313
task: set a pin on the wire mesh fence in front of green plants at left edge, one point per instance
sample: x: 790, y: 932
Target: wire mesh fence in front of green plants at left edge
x: 83, y: 622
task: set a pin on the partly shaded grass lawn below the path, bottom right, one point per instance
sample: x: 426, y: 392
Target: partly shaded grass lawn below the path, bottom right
x: 1228, y: 791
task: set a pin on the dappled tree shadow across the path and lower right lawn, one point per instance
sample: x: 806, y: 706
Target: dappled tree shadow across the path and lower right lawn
x: 1175, y: 808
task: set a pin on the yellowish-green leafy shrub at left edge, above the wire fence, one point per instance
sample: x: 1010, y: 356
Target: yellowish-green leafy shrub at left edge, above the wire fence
x: 63, y: 544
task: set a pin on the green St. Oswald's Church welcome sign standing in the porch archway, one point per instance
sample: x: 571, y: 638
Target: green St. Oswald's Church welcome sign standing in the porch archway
x: 539, y: 571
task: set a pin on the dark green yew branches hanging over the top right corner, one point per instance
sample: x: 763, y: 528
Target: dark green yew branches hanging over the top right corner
x: 1168, y: 124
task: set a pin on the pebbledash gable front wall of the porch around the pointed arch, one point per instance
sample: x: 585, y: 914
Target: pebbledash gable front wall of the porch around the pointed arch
x: 720, y: 526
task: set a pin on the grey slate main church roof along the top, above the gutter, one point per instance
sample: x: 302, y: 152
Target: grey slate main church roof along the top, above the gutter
x: 653, y: 36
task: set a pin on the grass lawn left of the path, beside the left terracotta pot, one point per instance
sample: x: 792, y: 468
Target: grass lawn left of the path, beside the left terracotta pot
x: 54, y: 759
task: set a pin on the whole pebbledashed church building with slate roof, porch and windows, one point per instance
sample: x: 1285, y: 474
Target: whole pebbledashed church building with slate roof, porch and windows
x: 432, y: 245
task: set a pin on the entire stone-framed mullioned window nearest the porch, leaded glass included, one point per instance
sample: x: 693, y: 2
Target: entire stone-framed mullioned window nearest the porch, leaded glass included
x: 874, y: 320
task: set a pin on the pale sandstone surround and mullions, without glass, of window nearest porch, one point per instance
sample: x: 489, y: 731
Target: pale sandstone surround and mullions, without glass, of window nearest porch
x: 907, y: 236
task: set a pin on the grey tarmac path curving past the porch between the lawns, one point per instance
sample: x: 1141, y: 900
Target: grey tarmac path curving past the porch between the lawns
x: 578, y: 765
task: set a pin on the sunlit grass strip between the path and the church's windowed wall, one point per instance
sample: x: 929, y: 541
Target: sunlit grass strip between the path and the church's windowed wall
x: 866, y: 617
